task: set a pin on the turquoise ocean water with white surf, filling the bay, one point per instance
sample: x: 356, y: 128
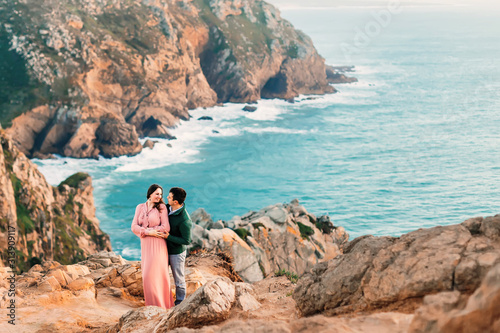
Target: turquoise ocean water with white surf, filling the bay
x: 415, y: 143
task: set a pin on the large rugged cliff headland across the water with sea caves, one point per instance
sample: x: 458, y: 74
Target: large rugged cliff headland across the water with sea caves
x: 89, y: 77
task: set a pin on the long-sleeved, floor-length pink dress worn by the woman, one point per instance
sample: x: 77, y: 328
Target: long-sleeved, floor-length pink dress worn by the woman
x: 154, y: 255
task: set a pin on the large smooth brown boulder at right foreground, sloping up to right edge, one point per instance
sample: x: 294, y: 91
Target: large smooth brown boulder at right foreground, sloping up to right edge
x: 378, y: 271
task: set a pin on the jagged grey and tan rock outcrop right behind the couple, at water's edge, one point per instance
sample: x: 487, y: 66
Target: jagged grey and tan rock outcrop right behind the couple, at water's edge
x: 278, y: 237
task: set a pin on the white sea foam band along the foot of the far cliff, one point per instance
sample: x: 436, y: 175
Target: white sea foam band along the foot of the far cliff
x: 226, y: 121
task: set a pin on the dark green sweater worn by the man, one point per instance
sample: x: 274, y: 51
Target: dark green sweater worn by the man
x: 180, y: 231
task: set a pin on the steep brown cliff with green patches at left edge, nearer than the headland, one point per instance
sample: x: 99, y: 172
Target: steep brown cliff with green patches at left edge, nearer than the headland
x: 48, y: 223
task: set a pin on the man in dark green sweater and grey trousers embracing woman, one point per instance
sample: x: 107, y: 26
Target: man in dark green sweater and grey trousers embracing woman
x: 178, y: 238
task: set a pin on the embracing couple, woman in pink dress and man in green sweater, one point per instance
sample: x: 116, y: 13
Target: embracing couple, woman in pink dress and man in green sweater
x: 165, y: 232
